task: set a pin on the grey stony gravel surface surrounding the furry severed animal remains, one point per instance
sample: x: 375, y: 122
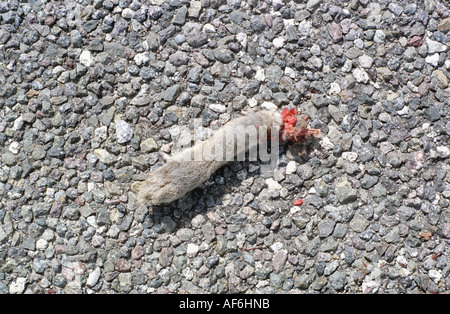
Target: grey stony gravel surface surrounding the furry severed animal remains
x: 94, y: 94
